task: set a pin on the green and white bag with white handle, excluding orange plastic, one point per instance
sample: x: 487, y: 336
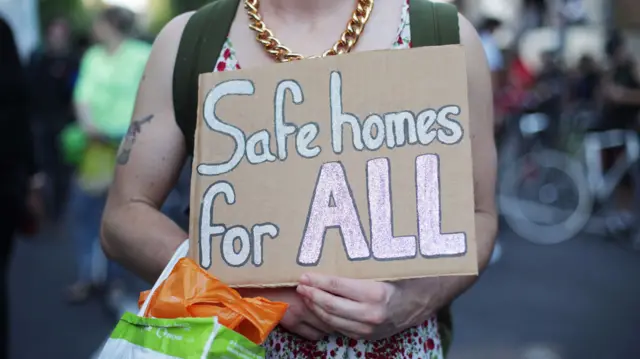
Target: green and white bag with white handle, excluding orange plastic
x: 137, y: 337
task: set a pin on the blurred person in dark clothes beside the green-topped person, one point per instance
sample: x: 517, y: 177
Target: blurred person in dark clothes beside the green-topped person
x: 52, y: 72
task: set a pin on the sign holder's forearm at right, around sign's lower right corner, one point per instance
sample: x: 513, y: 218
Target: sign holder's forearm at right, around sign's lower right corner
x: 437, y: 292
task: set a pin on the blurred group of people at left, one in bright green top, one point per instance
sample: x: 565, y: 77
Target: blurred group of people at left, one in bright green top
x: 64, y: 114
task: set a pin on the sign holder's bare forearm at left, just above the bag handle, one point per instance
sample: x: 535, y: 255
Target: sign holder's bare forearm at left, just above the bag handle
x: 141, y: 238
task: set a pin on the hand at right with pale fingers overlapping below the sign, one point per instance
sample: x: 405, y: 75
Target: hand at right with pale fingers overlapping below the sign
x: 359, y: 309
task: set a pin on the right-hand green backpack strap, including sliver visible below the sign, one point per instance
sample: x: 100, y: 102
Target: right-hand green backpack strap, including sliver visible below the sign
x: 436, y: 24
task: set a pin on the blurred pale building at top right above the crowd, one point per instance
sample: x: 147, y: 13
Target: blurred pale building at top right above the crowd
x: 576, y: 27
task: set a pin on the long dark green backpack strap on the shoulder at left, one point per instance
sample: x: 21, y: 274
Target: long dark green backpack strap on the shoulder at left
x: 200, y: 45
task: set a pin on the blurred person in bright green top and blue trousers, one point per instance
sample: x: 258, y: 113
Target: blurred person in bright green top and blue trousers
x: 104, y: 98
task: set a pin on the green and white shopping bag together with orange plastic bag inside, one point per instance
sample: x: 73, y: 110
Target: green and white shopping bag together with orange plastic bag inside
x: 205, y: 337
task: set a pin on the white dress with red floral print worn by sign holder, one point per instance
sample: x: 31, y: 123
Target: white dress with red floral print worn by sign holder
x: 421, y: 342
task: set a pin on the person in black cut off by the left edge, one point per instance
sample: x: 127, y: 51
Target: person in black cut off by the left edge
x: 16, y: 161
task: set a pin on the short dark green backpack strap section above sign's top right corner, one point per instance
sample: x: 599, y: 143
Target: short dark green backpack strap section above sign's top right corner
x: 433, y: 23
